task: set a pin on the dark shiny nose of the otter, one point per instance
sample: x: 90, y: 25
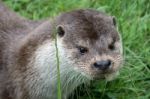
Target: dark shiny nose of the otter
x: 102, y: 65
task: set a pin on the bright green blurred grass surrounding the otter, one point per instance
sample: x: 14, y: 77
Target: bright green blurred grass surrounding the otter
x: 133, y: 18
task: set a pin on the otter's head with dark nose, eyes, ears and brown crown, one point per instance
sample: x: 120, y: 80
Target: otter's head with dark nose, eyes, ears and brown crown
x: 91, y: 43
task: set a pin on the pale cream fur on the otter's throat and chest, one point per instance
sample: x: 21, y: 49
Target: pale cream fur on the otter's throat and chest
x: 43, y: 83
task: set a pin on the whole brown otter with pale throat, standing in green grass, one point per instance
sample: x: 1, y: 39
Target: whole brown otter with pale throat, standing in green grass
x: 89, y: 48
